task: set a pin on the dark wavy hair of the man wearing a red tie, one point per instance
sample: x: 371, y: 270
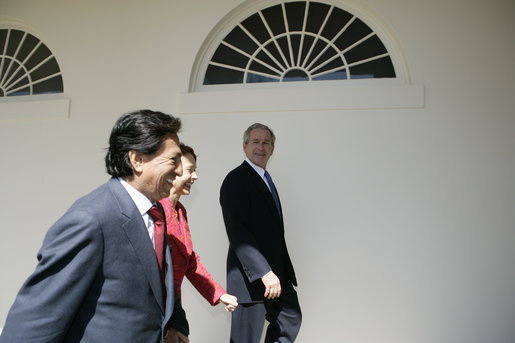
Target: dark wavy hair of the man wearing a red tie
x: 143, y: 131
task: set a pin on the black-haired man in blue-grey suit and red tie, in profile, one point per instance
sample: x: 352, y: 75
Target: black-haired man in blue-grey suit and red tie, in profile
x: 98, y: 278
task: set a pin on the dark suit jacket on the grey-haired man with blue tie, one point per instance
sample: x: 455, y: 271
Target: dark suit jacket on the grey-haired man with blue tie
x: 256, y: 235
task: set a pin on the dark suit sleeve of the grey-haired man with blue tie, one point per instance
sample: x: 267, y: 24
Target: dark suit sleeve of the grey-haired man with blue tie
x: 236, y: 207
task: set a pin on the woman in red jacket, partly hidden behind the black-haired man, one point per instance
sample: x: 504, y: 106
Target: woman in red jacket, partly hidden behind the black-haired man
x: 185, y: 261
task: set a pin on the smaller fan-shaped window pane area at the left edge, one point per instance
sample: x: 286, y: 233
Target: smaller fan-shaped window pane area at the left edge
x: 27, y: 66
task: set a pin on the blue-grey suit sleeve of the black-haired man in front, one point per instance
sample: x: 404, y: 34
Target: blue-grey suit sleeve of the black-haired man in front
x: 68, y: 262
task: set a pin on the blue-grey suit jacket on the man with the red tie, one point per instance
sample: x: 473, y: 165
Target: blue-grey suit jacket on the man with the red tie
x: 96, y: 280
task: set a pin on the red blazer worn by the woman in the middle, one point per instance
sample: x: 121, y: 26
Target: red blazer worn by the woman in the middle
x: 185, y: 261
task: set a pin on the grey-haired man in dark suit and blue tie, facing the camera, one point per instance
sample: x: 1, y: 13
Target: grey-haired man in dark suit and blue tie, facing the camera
x: 259, y: 269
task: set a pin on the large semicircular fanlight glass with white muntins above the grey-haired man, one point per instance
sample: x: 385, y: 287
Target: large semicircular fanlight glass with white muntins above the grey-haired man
x: 299, y: 41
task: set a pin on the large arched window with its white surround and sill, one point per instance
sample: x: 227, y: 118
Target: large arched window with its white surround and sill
x: 293, y: 55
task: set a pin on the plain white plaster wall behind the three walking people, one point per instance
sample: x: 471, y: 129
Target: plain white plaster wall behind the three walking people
x: 400, y: 223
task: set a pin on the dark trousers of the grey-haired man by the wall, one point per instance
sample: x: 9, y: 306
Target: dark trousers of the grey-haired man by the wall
x: 283, y: 315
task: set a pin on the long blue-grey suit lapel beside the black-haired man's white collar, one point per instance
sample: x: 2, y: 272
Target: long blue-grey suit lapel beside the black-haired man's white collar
x: 135, y: 230
